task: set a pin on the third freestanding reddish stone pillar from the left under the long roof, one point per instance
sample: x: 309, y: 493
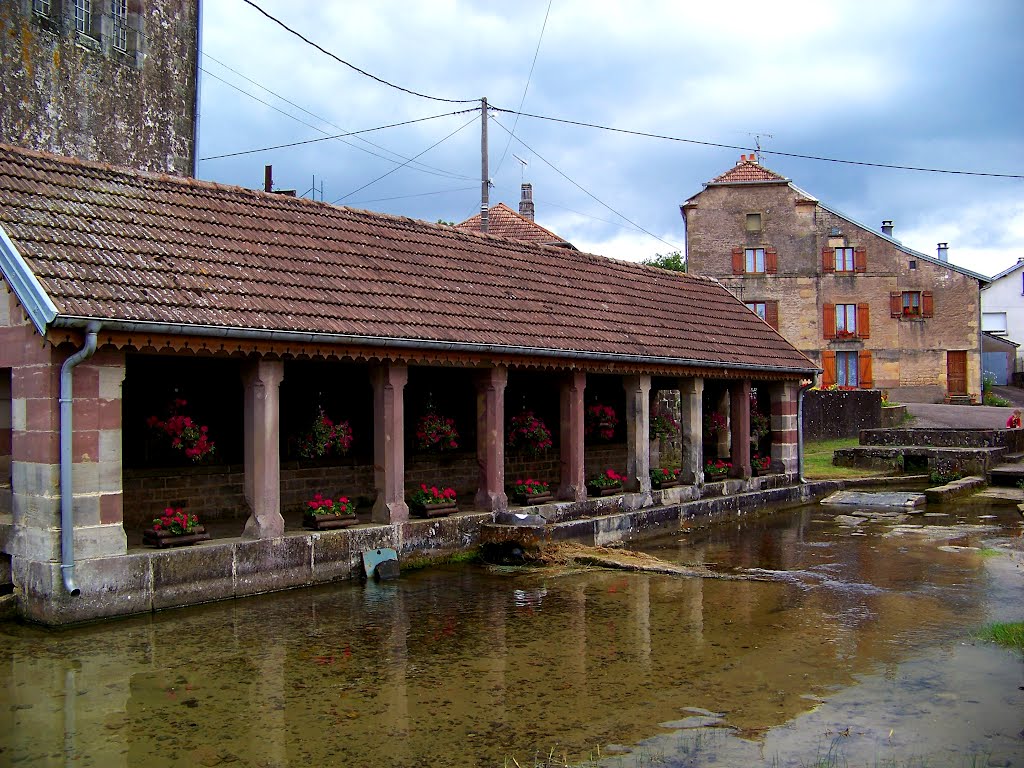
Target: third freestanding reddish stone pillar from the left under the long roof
x: 491, y: 440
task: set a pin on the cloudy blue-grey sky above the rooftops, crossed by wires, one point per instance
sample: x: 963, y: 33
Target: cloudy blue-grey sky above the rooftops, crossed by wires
x: 924, y: 83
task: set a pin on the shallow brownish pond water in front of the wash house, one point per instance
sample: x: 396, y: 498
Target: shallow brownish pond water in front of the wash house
x: 859, y: 651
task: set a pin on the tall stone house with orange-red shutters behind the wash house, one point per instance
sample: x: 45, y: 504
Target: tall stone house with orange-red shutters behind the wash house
x: 871, y: 312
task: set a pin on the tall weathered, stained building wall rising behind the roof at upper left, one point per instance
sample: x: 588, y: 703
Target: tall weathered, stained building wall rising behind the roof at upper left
x: 116, y: 82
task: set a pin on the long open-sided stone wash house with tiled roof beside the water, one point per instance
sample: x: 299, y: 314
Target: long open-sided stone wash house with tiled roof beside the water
x: 135, y: 296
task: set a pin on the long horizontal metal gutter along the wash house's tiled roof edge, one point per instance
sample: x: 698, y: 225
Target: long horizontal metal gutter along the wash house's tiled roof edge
x: 305, y: 337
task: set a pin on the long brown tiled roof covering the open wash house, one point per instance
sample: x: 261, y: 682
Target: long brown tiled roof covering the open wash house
x: 132, y: 249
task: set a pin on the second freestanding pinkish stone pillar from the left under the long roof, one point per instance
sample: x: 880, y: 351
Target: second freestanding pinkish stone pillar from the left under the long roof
x: 390, y: 443
